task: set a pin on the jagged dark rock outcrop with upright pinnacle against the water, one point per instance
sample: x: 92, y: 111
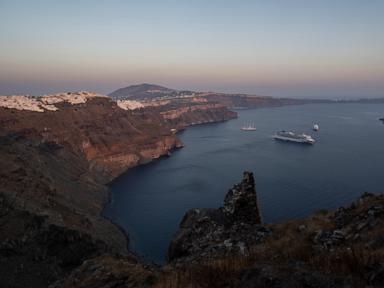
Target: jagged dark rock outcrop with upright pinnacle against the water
x: 233, y: 228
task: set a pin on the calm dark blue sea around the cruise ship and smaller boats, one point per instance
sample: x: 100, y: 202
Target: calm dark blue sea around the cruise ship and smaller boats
x: 292, y: 180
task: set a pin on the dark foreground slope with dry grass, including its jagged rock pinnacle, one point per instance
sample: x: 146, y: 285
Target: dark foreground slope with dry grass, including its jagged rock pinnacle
x: 342, y: 248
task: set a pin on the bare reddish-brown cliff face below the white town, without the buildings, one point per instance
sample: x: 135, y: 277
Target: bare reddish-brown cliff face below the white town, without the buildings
x: 109, y: 138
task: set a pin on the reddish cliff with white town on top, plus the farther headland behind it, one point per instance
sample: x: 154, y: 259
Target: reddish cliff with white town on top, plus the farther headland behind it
x: 110, y: 138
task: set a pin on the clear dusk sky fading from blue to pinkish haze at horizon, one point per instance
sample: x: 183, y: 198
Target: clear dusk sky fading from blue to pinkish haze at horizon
x: 284, y: 48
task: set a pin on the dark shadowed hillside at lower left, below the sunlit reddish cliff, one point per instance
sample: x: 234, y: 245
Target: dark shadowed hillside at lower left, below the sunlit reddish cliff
x: 50, y: 207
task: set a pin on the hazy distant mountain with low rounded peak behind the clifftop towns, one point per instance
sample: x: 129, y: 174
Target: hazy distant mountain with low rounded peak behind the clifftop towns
x: 145, y: 91
